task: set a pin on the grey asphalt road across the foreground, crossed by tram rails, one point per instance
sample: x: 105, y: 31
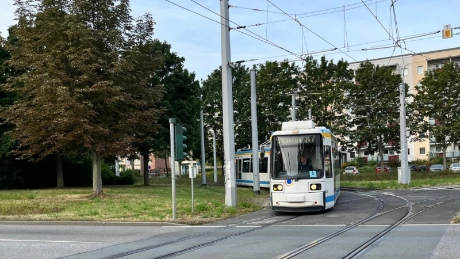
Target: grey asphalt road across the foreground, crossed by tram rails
x: 428, y: 234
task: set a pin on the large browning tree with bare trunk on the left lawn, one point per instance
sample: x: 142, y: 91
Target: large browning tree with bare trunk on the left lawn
x: 86, y: 86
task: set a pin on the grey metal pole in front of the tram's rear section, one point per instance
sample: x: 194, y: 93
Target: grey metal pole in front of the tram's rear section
x: 255, y: 137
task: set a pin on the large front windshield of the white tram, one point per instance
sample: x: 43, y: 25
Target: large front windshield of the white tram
x: 297, y: 157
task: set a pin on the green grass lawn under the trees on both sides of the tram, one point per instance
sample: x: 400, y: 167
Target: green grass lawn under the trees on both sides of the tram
x: 139, y: 203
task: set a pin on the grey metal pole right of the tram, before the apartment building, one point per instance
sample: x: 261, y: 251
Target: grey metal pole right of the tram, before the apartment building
x: 404, y: 178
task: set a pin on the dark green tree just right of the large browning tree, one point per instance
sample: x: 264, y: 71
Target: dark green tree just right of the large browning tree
x: 180, y: 101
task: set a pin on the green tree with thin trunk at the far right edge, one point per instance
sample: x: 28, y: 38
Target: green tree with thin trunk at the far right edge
x: 436, y: 99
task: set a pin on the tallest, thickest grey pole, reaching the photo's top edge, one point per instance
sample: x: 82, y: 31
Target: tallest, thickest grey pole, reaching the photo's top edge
x: 227, y: 106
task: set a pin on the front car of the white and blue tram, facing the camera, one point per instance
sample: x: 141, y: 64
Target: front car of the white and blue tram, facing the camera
x: 310, y: 185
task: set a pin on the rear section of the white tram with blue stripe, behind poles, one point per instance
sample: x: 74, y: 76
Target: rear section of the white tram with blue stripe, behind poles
x: 243, y: 160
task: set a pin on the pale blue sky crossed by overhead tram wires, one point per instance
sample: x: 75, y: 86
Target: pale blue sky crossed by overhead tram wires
x: 279, y: 30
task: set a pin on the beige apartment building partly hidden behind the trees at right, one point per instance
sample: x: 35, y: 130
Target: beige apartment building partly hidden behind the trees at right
x: 412, y: 68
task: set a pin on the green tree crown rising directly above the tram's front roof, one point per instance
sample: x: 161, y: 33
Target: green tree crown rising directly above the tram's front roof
x: 323, y: 84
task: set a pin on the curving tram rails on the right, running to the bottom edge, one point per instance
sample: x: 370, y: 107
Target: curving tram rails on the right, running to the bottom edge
x: 410, y: 213
